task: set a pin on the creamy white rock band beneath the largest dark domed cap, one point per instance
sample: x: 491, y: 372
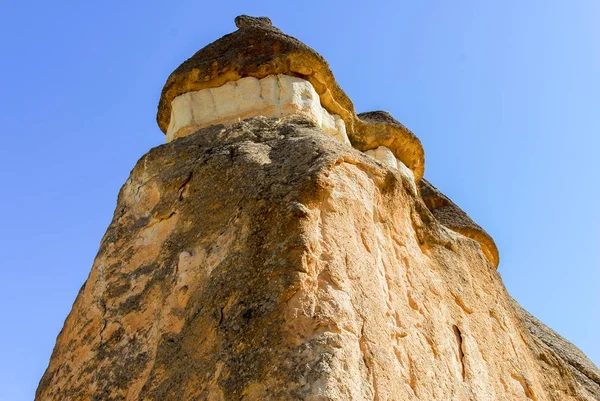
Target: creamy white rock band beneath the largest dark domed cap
x: 274, y: 96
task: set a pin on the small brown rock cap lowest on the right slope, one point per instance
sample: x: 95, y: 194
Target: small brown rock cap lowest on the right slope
x: 453, y: 217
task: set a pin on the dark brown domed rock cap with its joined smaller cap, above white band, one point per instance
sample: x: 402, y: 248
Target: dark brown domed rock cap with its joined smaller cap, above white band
x: 258, y: 49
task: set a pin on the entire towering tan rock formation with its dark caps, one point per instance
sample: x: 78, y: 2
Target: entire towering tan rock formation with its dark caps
x: 282, y: 247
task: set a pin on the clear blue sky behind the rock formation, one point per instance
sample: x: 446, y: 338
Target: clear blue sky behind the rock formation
x: 503, y: 94
